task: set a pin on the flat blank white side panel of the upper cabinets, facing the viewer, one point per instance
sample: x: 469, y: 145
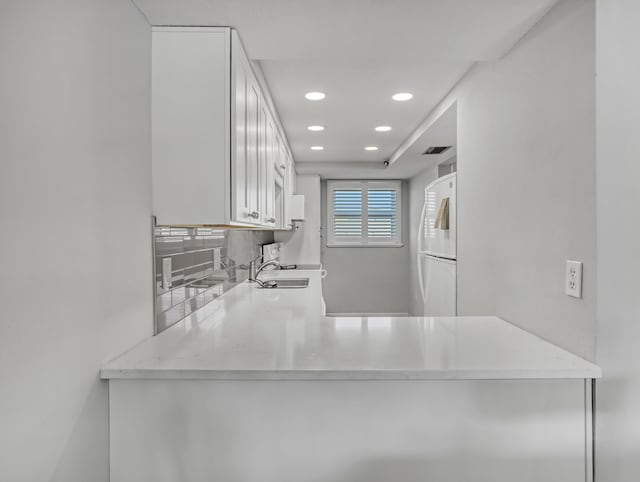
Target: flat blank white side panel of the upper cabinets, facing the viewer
x: 190, y: 127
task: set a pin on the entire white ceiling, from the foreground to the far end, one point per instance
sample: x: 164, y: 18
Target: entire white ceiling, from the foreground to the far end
x: 359, y: 52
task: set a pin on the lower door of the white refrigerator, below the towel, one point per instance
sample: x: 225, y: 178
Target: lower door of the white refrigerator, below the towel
x: 439, y: 286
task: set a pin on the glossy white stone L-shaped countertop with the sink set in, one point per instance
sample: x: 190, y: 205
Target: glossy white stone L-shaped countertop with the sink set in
x: 281, y: 334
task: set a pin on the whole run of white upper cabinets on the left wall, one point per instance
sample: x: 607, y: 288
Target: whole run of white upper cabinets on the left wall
x: 216, y: 143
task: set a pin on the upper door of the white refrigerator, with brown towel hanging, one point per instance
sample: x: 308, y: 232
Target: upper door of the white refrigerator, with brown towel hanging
x: 437, y: 241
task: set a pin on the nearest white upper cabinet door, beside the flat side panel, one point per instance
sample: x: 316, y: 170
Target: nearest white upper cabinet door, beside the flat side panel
x: 244, y: 154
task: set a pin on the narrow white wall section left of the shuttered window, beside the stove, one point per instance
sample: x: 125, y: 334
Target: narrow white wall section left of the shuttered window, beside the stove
x: 302, y: 245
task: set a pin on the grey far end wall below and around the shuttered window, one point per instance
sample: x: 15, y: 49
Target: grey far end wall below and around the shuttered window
x: 367, y: 280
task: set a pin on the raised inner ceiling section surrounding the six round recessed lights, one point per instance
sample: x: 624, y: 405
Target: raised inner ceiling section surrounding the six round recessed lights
x: 358, y: 99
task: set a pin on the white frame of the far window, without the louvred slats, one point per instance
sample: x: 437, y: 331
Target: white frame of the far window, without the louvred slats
x: 364, y: 186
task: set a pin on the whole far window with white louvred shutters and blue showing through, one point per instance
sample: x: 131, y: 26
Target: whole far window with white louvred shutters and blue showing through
x: 364, y: 213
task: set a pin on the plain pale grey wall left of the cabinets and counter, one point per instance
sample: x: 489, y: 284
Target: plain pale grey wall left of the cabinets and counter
x: 75, y: 206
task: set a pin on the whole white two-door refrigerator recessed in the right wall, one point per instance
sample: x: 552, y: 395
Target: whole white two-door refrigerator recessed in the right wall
x: 437, y: 248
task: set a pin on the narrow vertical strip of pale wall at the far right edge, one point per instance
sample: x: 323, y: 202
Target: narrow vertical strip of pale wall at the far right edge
x: 618, y: 199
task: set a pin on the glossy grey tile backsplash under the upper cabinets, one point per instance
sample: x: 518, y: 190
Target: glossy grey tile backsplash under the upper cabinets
x: 193, y: 266
